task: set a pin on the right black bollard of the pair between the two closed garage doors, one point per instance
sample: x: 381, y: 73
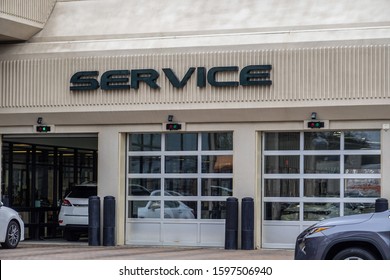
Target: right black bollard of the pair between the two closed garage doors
x: 247, y: 223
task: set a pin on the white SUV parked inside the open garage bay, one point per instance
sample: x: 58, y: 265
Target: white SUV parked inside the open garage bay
x: 73, y: 216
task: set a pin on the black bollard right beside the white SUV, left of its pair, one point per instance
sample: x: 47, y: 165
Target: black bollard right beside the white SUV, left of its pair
x: 94, y: 221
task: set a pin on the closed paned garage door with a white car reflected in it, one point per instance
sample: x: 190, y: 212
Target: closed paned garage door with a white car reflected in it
x: 177, y: 187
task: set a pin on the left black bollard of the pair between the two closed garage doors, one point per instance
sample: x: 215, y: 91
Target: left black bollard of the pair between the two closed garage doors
x: 231, y: 227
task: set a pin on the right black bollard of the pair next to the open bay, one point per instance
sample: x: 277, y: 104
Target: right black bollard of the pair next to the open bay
x: 109, y: 221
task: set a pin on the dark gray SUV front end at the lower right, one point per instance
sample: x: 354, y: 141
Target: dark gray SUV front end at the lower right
x: 363, y: 237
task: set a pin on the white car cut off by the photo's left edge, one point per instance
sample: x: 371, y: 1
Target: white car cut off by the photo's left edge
x: 11, y: 227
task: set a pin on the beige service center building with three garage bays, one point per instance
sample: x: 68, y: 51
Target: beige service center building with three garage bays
x: 172, y: 107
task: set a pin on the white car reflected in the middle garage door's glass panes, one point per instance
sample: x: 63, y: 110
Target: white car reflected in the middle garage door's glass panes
x: 172, y: 209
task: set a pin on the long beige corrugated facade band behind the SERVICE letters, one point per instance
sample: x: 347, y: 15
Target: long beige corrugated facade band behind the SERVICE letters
x: 299, y: 75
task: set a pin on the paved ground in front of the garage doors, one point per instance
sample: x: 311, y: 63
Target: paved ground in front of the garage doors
x: 63, y: 250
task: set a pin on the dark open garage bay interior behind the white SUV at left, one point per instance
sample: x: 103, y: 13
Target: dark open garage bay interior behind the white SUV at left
x: 35, y: 178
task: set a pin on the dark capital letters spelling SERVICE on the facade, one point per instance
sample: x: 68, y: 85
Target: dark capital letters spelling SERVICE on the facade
x: 252, y: 75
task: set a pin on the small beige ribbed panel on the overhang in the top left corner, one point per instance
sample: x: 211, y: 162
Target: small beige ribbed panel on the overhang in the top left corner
x: 33, y: 10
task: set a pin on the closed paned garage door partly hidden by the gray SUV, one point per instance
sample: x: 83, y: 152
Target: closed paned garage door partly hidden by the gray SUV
x: 310, y: 176
